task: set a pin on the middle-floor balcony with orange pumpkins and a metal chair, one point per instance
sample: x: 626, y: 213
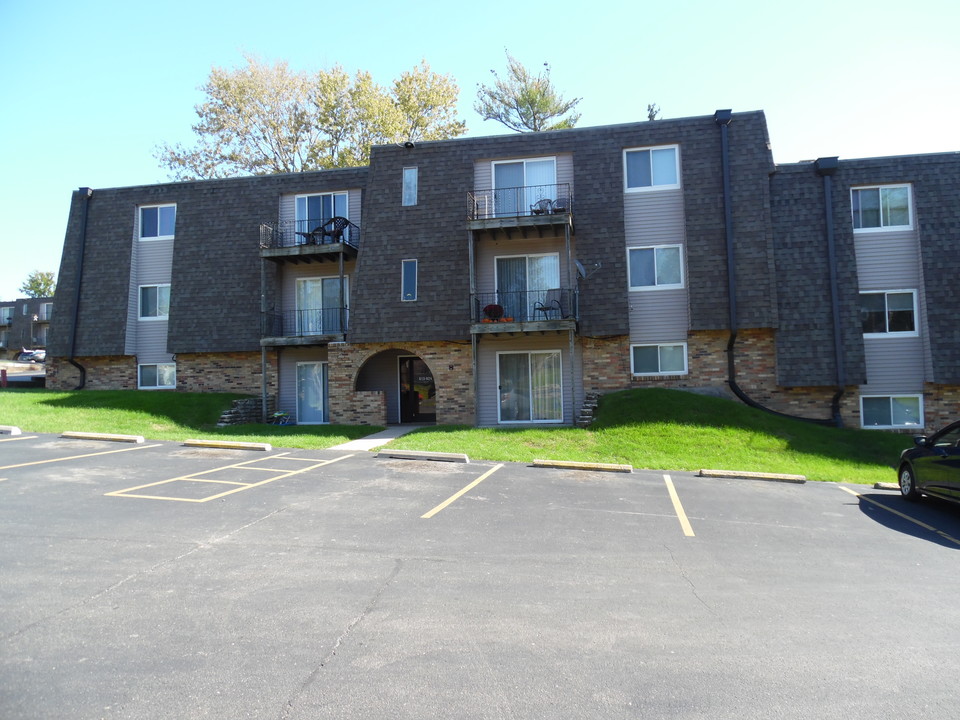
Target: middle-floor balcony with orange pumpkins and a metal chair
x: 524, y: 311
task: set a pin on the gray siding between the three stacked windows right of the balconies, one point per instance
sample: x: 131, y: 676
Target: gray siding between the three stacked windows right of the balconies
x: 656, y: 218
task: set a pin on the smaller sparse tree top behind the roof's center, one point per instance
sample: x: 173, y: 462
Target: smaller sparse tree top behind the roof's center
x: 523, y: 101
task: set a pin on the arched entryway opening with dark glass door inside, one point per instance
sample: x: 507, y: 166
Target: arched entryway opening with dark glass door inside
x: 407, y: 382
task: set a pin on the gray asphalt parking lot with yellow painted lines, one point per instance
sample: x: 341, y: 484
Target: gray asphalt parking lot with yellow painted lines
x: 157, y: 580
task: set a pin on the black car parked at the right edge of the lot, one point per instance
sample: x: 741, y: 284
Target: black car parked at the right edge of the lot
x: 933, y: 466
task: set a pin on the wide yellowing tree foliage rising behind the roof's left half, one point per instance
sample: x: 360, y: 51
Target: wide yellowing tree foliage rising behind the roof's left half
x: 261, y: 119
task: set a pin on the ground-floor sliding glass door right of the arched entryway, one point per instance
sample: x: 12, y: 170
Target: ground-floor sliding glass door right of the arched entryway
x: 530, y: 386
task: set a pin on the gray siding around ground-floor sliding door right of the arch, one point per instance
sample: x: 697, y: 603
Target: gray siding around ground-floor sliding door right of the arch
x: 488, y: 392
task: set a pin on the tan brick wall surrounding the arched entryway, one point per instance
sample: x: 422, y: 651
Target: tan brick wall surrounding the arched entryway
x: 451, y: 364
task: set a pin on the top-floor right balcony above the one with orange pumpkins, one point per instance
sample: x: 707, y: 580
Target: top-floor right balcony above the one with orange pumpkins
x: 542, y: 210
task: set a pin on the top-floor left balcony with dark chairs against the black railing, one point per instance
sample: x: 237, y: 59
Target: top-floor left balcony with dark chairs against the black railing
x: 309, y: 240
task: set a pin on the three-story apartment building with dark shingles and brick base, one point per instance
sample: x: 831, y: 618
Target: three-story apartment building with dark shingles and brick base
x: 501, y: 280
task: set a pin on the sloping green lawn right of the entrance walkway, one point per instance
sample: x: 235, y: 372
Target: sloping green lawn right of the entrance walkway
x: 674, y: 430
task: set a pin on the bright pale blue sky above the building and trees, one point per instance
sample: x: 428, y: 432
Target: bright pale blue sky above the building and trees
x: 90, y: 89
